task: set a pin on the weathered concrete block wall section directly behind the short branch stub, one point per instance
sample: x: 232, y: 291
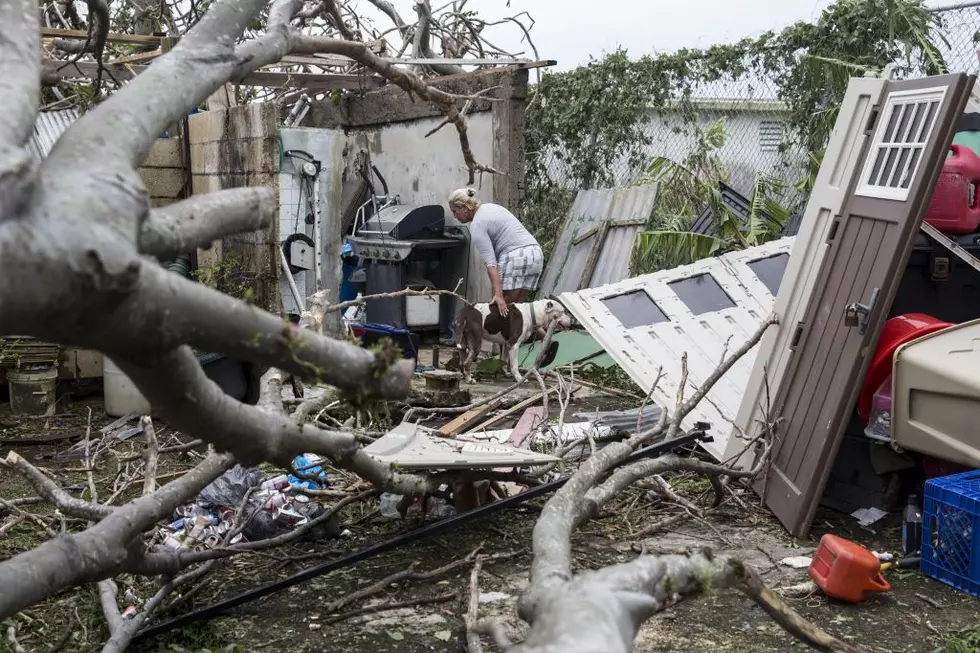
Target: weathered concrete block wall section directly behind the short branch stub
x: 231, y: 148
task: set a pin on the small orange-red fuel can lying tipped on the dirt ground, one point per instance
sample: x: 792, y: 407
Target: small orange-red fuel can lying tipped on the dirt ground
x: 846, y: 571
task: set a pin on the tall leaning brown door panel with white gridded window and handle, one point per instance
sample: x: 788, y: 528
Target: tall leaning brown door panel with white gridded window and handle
x: 869, y: 248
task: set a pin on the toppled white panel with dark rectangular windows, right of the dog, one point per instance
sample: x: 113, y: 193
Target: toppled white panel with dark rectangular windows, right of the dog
x: 646, y: 351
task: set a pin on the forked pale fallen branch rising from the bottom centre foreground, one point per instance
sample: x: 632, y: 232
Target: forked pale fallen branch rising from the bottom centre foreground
x: 602, y: 610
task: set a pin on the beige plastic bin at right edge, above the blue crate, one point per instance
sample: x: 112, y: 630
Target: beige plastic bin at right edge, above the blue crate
x: 936, y: 394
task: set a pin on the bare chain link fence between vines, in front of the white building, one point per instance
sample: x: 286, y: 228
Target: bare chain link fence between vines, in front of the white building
x: 746, y: 125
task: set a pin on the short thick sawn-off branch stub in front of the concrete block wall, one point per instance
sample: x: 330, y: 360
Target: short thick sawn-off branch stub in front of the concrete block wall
x: 200, y: 220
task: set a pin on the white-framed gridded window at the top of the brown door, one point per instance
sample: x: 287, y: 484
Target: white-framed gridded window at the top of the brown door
x: 904, y: 127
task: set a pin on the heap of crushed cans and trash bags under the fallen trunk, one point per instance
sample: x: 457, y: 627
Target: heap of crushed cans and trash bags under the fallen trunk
x: 273, y: 508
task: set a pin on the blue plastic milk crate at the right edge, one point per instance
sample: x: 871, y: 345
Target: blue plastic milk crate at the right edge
x: 951, y: 531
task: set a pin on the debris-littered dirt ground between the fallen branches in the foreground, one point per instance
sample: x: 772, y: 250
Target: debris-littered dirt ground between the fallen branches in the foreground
x: 298, y: 620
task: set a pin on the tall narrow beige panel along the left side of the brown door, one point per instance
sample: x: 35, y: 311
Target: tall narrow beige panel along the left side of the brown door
x: 841, y: 158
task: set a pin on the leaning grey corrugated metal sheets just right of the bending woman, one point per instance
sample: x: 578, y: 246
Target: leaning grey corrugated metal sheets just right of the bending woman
x: 589, y: 211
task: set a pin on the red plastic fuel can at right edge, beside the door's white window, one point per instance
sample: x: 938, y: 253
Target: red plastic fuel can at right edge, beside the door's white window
x: 952, y: 209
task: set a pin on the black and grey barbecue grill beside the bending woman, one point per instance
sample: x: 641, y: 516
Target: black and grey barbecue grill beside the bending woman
x: 409, y: 246
